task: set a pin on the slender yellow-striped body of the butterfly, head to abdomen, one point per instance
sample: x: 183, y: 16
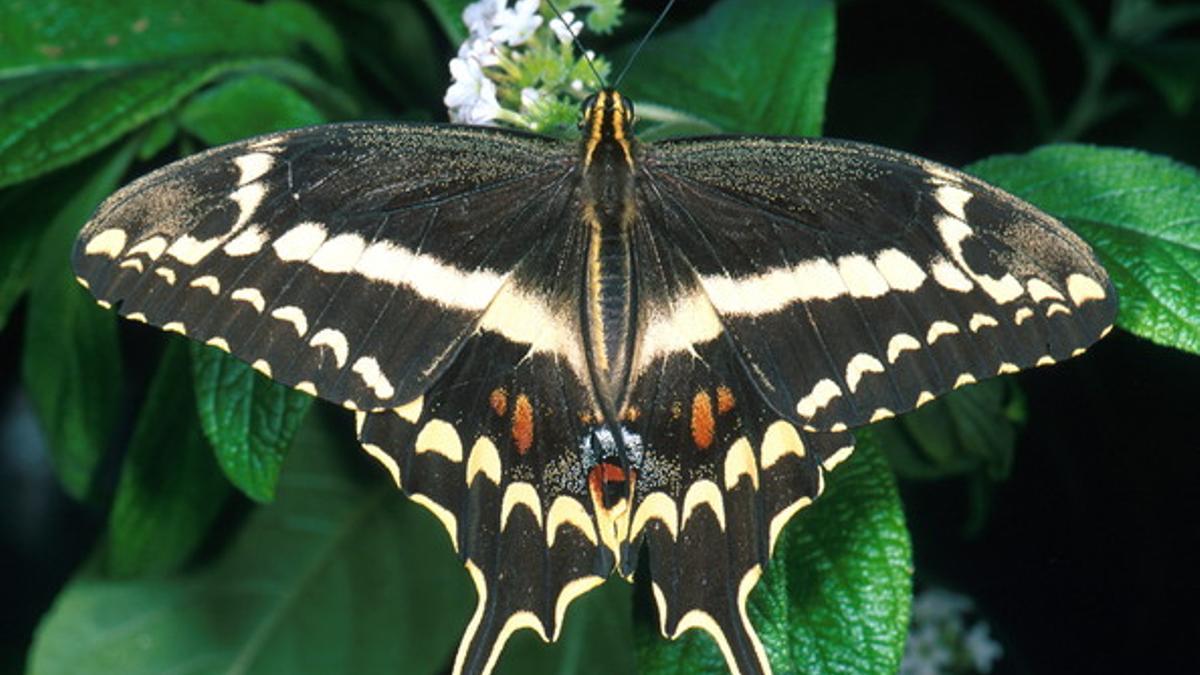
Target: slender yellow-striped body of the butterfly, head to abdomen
x: 609, y: 303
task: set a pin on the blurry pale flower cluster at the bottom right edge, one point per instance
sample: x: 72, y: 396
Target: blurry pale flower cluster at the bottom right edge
x: 940, y: 642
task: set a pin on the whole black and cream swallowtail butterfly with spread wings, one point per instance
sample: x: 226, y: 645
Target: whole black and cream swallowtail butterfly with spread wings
x: 568, y: 350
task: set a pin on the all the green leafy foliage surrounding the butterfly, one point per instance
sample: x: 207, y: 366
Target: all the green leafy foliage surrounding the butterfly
x: 335, y: 572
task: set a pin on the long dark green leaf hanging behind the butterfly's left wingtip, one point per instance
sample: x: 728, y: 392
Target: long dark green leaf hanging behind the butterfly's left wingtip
x: 71, y: 365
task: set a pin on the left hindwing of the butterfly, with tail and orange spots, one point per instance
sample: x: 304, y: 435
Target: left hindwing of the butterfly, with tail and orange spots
x: 497, y: 449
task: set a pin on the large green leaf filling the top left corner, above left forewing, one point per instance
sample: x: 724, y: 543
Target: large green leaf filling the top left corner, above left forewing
x: 76, y: 76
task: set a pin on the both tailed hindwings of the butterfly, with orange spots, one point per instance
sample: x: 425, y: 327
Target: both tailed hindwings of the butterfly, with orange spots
x: 507, y: 449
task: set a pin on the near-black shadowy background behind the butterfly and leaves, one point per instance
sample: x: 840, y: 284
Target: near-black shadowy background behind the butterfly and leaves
x: 1088, y: 560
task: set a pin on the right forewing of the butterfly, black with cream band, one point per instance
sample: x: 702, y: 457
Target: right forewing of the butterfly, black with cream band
x: 860, y: 283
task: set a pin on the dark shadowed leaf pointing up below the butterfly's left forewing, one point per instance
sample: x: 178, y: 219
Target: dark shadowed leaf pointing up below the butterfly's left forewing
x: 171, y: 491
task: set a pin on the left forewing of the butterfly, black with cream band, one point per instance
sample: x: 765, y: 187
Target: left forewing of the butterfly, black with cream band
x: 347, y: 261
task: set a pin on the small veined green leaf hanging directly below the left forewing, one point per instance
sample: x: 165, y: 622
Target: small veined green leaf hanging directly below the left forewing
x: 249, y: 420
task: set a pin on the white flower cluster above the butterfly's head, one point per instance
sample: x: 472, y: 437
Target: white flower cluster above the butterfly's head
x: 519, y: 64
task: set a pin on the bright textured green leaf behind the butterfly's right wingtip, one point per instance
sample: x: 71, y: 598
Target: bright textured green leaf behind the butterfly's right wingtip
x: 1142, y: 214
